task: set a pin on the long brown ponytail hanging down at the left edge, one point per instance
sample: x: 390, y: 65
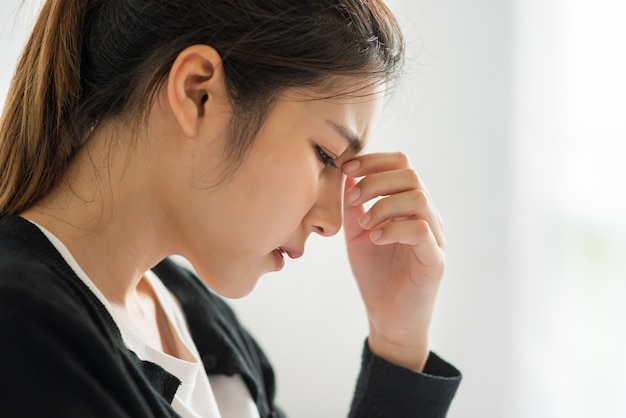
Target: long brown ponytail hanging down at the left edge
x: 36, y: 135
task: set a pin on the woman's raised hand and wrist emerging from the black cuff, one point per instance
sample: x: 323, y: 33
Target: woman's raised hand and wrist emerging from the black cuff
x: 396, y: 253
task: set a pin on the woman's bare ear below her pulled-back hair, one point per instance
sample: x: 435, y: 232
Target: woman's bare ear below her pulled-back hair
x: 195, y: 81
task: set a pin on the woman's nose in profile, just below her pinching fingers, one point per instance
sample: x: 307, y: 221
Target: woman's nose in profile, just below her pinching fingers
x: 326, y: 215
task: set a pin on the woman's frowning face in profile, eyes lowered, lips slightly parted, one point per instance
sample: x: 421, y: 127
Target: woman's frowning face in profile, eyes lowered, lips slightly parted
x: 289, y: 185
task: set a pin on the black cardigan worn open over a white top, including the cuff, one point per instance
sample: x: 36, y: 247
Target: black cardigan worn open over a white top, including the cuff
x: 61, y: 354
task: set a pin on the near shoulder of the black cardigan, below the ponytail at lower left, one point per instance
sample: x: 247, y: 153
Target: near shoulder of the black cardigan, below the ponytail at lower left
x: 60, y: 350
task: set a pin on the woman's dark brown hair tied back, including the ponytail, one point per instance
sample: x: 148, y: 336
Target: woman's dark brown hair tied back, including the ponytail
x: 93, y: 60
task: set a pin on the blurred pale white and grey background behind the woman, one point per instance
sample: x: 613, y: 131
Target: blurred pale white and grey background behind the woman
x: 514, y: 114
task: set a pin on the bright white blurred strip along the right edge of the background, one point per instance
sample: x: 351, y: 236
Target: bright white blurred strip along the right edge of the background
x: 569, y: 269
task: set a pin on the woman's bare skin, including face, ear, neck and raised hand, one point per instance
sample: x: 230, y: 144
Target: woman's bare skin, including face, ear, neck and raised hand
x: 130, y: 199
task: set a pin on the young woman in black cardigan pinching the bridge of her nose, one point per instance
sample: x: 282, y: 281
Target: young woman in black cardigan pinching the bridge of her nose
x: 227, y: 132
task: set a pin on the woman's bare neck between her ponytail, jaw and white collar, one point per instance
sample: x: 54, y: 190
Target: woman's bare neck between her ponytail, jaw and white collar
x: 105, y: 212
